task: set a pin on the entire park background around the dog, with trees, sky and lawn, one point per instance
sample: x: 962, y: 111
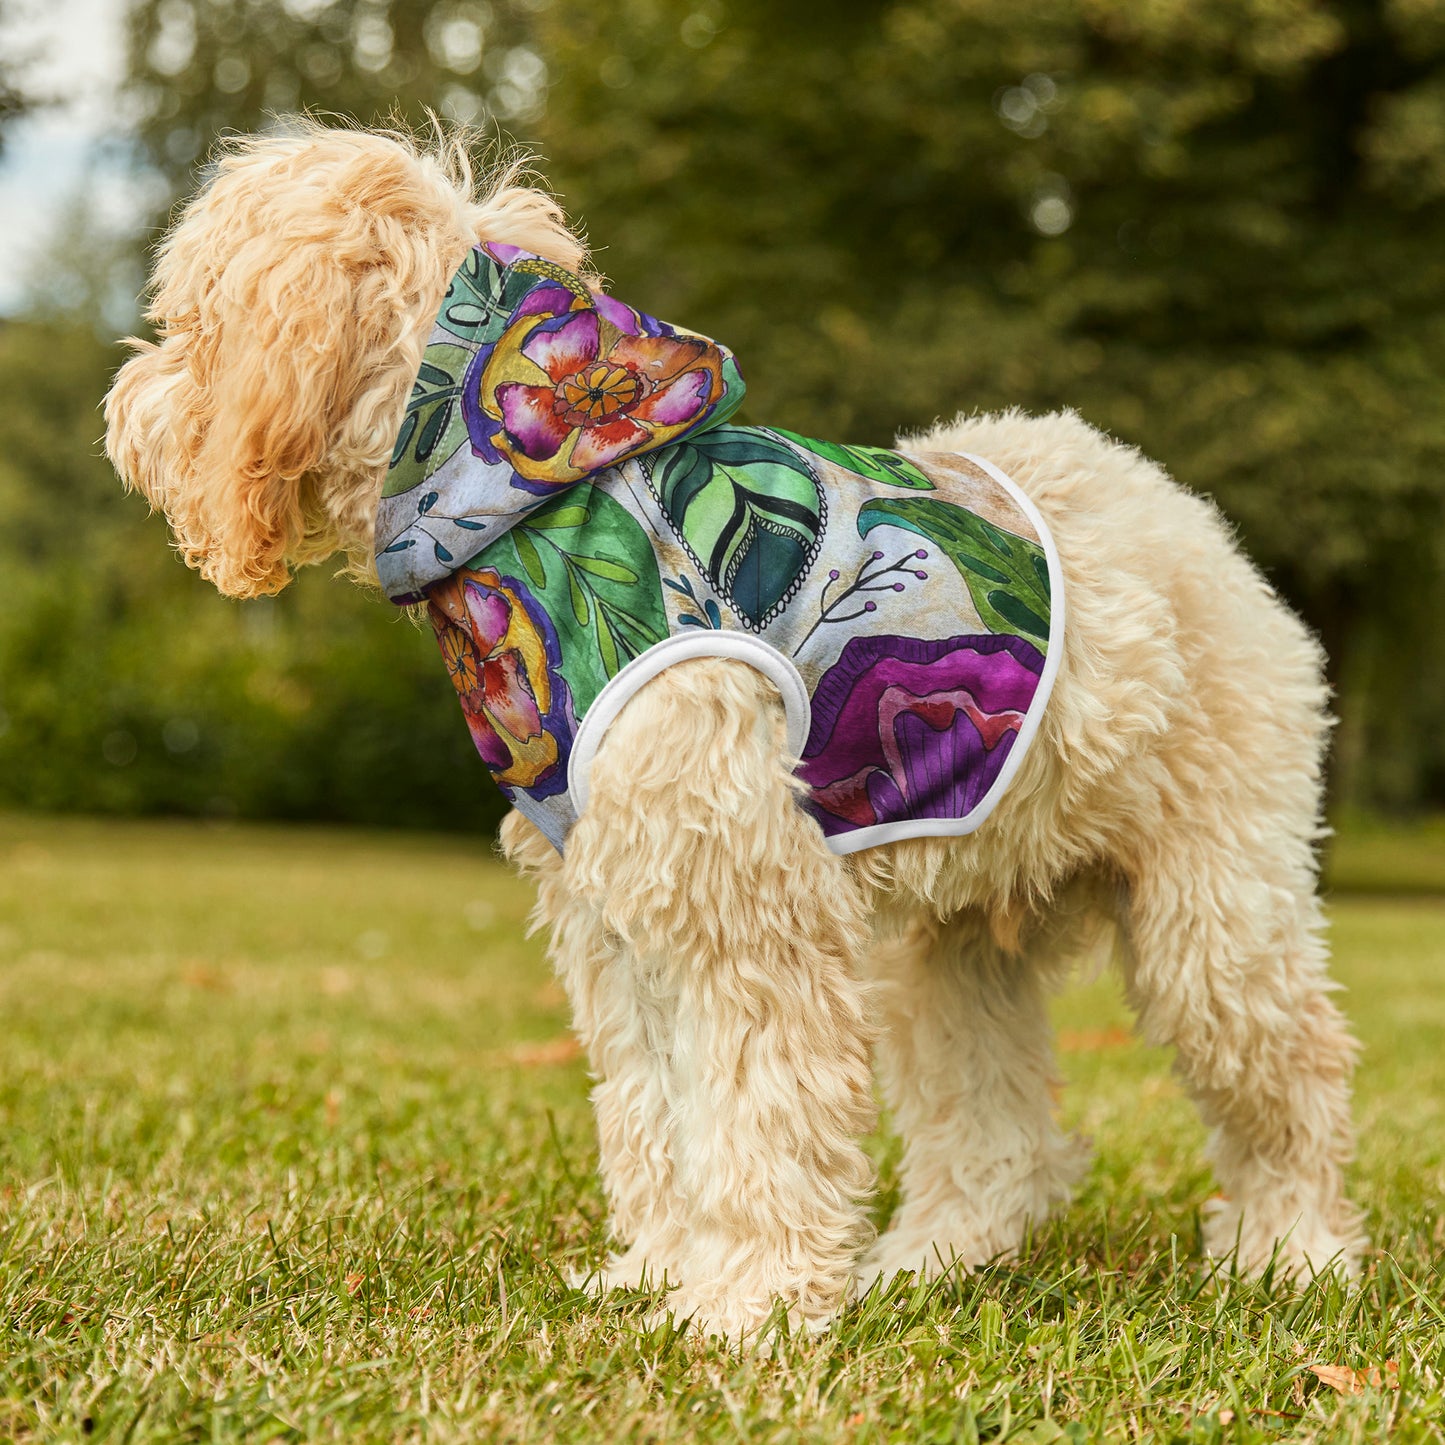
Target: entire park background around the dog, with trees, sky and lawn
x: 294, y: 1139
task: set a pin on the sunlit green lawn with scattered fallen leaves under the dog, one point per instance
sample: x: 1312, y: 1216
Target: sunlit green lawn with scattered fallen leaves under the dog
x: 293, y: 1147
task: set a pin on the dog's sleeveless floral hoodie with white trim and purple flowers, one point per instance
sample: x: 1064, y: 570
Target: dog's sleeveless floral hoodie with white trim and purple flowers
x: 574, y: 508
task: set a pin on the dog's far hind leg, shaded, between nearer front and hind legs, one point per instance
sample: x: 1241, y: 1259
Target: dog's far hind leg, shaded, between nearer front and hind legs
x: 967, y: 1069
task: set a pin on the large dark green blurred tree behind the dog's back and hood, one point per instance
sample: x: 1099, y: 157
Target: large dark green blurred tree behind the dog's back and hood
x: 1215, y: 229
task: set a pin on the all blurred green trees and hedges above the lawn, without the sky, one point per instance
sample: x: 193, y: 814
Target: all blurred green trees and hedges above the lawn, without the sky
x: 1215, y: 228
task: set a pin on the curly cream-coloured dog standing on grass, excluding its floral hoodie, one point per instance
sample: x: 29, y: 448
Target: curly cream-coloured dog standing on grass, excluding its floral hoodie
x: 732, y: 982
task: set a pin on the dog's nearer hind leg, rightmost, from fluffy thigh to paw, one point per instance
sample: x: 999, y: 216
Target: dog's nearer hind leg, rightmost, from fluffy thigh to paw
x: 1226, y: 956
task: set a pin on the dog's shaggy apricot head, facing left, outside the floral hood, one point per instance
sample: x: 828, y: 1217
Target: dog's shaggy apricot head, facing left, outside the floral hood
x: 293, y: 303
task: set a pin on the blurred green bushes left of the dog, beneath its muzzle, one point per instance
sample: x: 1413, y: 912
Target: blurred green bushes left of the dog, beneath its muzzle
x: 129, y: 686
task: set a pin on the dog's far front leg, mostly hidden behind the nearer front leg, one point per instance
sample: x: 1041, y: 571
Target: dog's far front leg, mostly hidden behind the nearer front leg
x: 622, y: 1014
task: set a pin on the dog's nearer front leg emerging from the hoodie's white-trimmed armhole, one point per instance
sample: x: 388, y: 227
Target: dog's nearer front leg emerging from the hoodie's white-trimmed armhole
x: 742, y: 933
